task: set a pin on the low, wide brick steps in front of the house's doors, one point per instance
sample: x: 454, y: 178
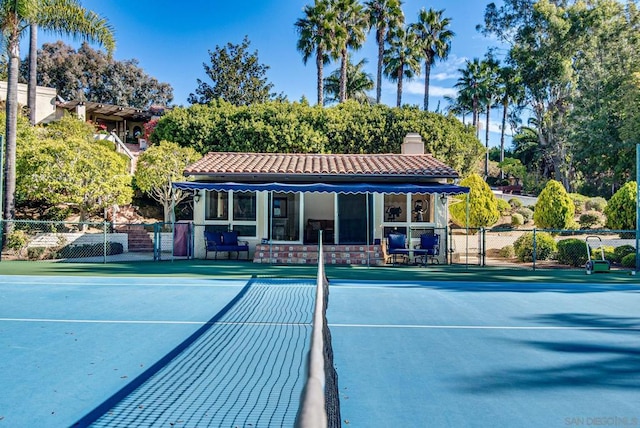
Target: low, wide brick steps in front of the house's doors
x: 308, y: 254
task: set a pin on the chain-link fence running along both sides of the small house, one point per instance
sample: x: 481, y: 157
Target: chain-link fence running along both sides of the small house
x: 516, y: 248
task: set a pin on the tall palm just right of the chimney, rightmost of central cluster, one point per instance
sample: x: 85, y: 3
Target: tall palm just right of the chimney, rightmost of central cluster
x: 435, y: 42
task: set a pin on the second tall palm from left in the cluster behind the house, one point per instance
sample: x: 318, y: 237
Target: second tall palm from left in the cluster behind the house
x: 350, y: 33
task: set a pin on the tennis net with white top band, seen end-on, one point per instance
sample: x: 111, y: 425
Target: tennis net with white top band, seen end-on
x: 320, y: 403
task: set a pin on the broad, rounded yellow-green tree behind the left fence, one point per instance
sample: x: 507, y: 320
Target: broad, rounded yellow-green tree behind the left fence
x: 67, y: 167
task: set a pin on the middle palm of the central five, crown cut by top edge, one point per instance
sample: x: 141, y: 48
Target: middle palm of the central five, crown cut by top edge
x: 384, y: 15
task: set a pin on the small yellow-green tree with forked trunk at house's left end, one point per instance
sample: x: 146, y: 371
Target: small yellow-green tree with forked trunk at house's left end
x: 158, y: 167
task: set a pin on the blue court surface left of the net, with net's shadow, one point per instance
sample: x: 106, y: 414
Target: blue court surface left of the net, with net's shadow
x: 132, y: 352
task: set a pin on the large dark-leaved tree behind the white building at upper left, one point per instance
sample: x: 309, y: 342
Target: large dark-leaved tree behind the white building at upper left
x: 90, y: 75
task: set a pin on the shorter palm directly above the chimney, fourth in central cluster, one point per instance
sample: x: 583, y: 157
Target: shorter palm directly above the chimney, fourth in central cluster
x: 402, y: 58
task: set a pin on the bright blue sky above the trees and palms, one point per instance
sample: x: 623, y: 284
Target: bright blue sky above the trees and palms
x: 171, y: 41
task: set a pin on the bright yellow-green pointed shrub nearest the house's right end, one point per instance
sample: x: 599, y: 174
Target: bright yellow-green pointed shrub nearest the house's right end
x: 483, y: 205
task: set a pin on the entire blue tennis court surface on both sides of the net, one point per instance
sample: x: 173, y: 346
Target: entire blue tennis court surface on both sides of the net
x: 178, y: 351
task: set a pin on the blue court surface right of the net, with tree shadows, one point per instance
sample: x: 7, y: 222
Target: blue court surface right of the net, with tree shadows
x: 486, y: 355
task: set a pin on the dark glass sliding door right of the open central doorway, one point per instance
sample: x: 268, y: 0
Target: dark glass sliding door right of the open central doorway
x: 352, y: 219
